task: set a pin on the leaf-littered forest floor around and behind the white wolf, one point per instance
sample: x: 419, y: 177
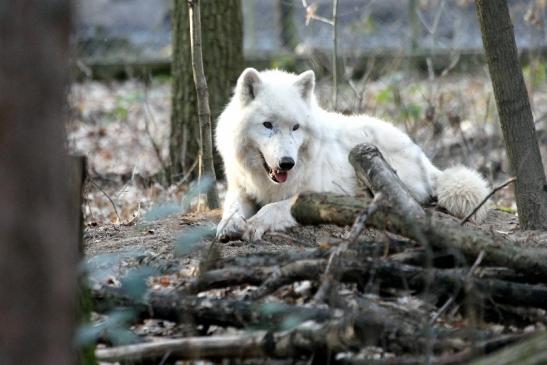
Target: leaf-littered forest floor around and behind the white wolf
x: 135, y: 225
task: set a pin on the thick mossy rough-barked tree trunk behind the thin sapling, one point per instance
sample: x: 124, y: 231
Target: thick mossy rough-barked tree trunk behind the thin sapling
x: 222, y: 35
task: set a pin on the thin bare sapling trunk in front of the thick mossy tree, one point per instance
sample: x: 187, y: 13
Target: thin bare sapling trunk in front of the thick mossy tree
x: 204, y: 113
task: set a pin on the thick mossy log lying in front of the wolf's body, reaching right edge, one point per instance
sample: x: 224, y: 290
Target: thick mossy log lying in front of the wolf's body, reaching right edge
x: 440, y: 230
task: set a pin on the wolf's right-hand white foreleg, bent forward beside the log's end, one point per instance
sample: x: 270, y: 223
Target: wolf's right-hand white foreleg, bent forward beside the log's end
x: 271, y: 217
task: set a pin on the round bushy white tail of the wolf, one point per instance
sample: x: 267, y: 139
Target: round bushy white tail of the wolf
x: 459, y: 190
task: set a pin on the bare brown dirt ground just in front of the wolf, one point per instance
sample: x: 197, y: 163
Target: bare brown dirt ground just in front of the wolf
x: 112, y: 251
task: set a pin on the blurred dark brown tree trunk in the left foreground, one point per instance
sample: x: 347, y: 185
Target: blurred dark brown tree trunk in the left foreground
x: 38, y: 230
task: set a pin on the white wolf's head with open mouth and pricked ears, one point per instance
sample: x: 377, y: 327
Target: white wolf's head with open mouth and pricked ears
x: 276, y: 109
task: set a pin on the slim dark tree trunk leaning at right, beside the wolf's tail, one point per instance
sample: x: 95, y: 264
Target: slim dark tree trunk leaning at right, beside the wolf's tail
x: 514, y: 112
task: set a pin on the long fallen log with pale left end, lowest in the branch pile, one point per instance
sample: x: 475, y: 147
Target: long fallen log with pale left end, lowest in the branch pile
x: 351, y: 332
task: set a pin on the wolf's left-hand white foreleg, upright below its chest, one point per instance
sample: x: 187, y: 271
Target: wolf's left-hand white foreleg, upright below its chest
x: 237, y: 208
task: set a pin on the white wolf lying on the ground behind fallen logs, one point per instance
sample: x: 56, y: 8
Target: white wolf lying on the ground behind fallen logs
x: 275, y: 142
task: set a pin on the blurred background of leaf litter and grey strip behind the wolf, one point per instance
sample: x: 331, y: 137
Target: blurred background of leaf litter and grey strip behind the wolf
x: 417, y: 63
